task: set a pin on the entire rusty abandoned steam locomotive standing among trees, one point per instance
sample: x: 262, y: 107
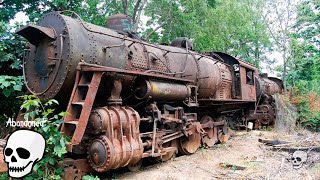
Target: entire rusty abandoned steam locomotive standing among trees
x: 129, y: 99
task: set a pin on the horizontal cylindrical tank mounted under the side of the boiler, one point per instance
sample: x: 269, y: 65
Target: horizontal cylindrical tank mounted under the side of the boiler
x: 162, y: 91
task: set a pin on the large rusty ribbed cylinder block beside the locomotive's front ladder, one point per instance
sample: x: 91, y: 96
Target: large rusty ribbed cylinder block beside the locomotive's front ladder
x: 121, y: 144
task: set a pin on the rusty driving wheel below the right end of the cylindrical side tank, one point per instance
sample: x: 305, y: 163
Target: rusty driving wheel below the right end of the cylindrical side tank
x: 189, y: 145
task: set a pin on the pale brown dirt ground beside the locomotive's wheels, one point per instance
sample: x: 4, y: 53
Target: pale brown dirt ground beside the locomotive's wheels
x: 244, y: 150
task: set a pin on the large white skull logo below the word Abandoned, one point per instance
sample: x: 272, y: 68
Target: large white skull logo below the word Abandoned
x: 23, y: 149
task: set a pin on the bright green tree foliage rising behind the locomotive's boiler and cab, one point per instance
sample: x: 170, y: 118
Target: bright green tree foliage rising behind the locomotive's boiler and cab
x: 231, y: 26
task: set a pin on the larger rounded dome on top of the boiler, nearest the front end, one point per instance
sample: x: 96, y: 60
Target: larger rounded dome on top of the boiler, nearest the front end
x: 119, y: 22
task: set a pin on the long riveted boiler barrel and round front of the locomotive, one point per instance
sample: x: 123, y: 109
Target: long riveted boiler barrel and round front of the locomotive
x: 107, y: 48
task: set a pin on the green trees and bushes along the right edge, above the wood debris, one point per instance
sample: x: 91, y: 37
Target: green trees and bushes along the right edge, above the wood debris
x: 304, y: 64
